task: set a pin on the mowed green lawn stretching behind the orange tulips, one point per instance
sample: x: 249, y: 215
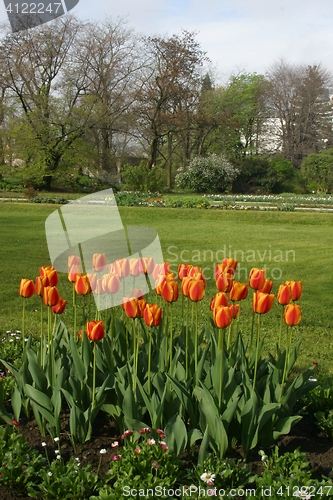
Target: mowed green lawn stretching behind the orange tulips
x: 292, y: 246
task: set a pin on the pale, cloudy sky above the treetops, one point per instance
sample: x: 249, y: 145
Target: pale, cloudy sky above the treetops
x: 237, y: 35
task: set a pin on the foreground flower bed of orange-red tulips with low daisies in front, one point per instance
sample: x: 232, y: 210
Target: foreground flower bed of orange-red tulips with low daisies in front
x: 169, y: 389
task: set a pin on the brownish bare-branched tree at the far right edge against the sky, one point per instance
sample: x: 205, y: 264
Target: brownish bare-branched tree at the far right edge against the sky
x: 300, y: 100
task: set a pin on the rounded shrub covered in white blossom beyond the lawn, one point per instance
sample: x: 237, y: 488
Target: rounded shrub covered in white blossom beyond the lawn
x: 213, y: 173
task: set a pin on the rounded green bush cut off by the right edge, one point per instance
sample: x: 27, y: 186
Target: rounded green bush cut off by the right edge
x: 317, y: 171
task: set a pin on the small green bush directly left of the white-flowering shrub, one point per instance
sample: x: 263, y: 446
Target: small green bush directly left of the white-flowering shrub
x: 143, y: 179
